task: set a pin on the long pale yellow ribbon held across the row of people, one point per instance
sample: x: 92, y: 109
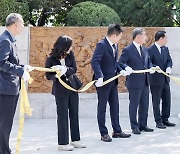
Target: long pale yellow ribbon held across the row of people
x: 24, y: 102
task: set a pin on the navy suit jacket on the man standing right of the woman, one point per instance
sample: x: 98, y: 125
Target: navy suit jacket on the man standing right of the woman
x: 104, y: 63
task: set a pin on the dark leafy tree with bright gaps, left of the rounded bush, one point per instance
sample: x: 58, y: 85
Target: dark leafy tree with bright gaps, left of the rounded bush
x: 55, y: 11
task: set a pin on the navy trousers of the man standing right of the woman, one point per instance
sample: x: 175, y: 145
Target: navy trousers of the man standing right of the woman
x: 109, y: 94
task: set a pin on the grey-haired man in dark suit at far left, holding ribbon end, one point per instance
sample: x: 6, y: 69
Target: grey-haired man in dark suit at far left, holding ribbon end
x: 10, y: 73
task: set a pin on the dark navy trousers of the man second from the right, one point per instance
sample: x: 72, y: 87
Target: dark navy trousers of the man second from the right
x: 139, y: 103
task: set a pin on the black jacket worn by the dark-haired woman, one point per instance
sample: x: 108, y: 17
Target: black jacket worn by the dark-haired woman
x: 68, y: 78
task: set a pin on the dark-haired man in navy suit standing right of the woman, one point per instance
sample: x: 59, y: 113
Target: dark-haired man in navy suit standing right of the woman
x: 104, y: 64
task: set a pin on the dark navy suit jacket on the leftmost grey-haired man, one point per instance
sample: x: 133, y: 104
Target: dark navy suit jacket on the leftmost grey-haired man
x: 10, y: 69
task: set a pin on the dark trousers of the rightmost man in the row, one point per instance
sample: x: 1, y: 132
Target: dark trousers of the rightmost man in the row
x: 161, y: 93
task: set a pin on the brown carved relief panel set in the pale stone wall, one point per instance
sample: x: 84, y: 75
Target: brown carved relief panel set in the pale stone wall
x: 84, y: 43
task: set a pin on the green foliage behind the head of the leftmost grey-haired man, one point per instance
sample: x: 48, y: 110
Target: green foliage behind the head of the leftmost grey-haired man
x: 9, y: 6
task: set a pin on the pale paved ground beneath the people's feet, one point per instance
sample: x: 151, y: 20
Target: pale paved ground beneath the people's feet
x: 40, y: 137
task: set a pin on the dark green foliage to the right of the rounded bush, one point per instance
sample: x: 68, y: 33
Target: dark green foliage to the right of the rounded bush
x: 143, y: 13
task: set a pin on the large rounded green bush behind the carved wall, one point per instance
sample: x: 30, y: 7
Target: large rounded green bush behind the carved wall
x: 91, y: 14
